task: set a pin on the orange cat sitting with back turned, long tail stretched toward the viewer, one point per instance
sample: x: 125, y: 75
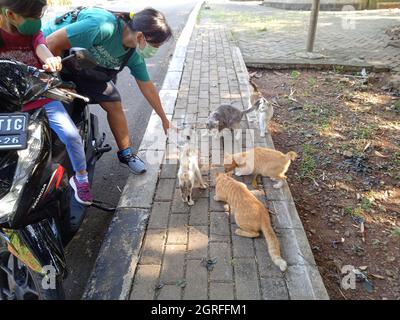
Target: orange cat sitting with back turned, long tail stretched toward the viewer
x: 251, y: 215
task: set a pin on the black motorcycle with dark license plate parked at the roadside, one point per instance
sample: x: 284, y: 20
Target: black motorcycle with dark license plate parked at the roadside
x: 38, y: 212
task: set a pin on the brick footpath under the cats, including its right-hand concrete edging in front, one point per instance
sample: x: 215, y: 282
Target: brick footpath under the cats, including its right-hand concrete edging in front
x: 179, y: 237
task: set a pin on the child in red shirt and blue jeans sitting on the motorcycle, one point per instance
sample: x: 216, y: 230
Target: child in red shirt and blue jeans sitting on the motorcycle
x: 22, y: 40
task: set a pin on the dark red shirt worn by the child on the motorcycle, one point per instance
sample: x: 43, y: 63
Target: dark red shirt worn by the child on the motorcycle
x: 23, y: 49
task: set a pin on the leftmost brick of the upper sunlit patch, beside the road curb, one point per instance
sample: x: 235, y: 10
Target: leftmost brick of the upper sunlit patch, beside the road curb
x: 153, y: 247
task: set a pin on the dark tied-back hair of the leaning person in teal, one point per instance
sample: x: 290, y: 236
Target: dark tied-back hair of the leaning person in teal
x: 151, y: 22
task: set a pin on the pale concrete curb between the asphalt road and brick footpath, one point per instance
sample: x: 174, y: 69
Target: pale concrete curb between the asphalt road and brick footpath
x: 115, y: 267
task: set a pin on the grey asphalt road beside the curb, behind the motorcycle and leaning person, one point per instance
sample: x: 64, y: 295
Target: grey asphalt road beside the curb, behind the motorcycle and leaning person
x: 110, y: 177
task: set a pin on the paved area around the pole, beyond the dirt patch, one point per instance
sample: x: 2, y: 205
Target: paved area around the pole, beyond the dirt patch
x: 276, y: 37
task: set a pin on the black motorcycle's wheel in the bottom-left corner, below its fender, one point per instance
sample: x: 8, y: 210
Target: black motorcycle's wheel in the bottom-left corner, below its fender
x: 18, y: 282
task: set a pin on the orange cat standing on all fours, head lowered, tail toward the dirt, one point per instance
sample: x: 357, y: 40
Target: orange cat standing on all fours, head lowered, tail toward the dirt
x: 261, y: 161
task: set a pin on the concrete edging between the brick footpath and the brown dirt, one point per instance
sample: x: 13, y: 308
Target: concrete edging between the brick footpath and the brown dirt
x: 303, y: 279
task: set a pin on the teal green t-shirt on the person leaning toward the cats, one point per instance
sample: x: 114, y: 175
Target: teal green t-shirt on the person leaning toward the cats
x: 97, y: 31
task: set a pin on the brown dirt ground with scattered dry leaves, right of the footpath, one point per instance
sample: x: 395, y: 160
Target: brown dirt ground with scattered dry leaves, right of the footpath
x: 346, y: 182
